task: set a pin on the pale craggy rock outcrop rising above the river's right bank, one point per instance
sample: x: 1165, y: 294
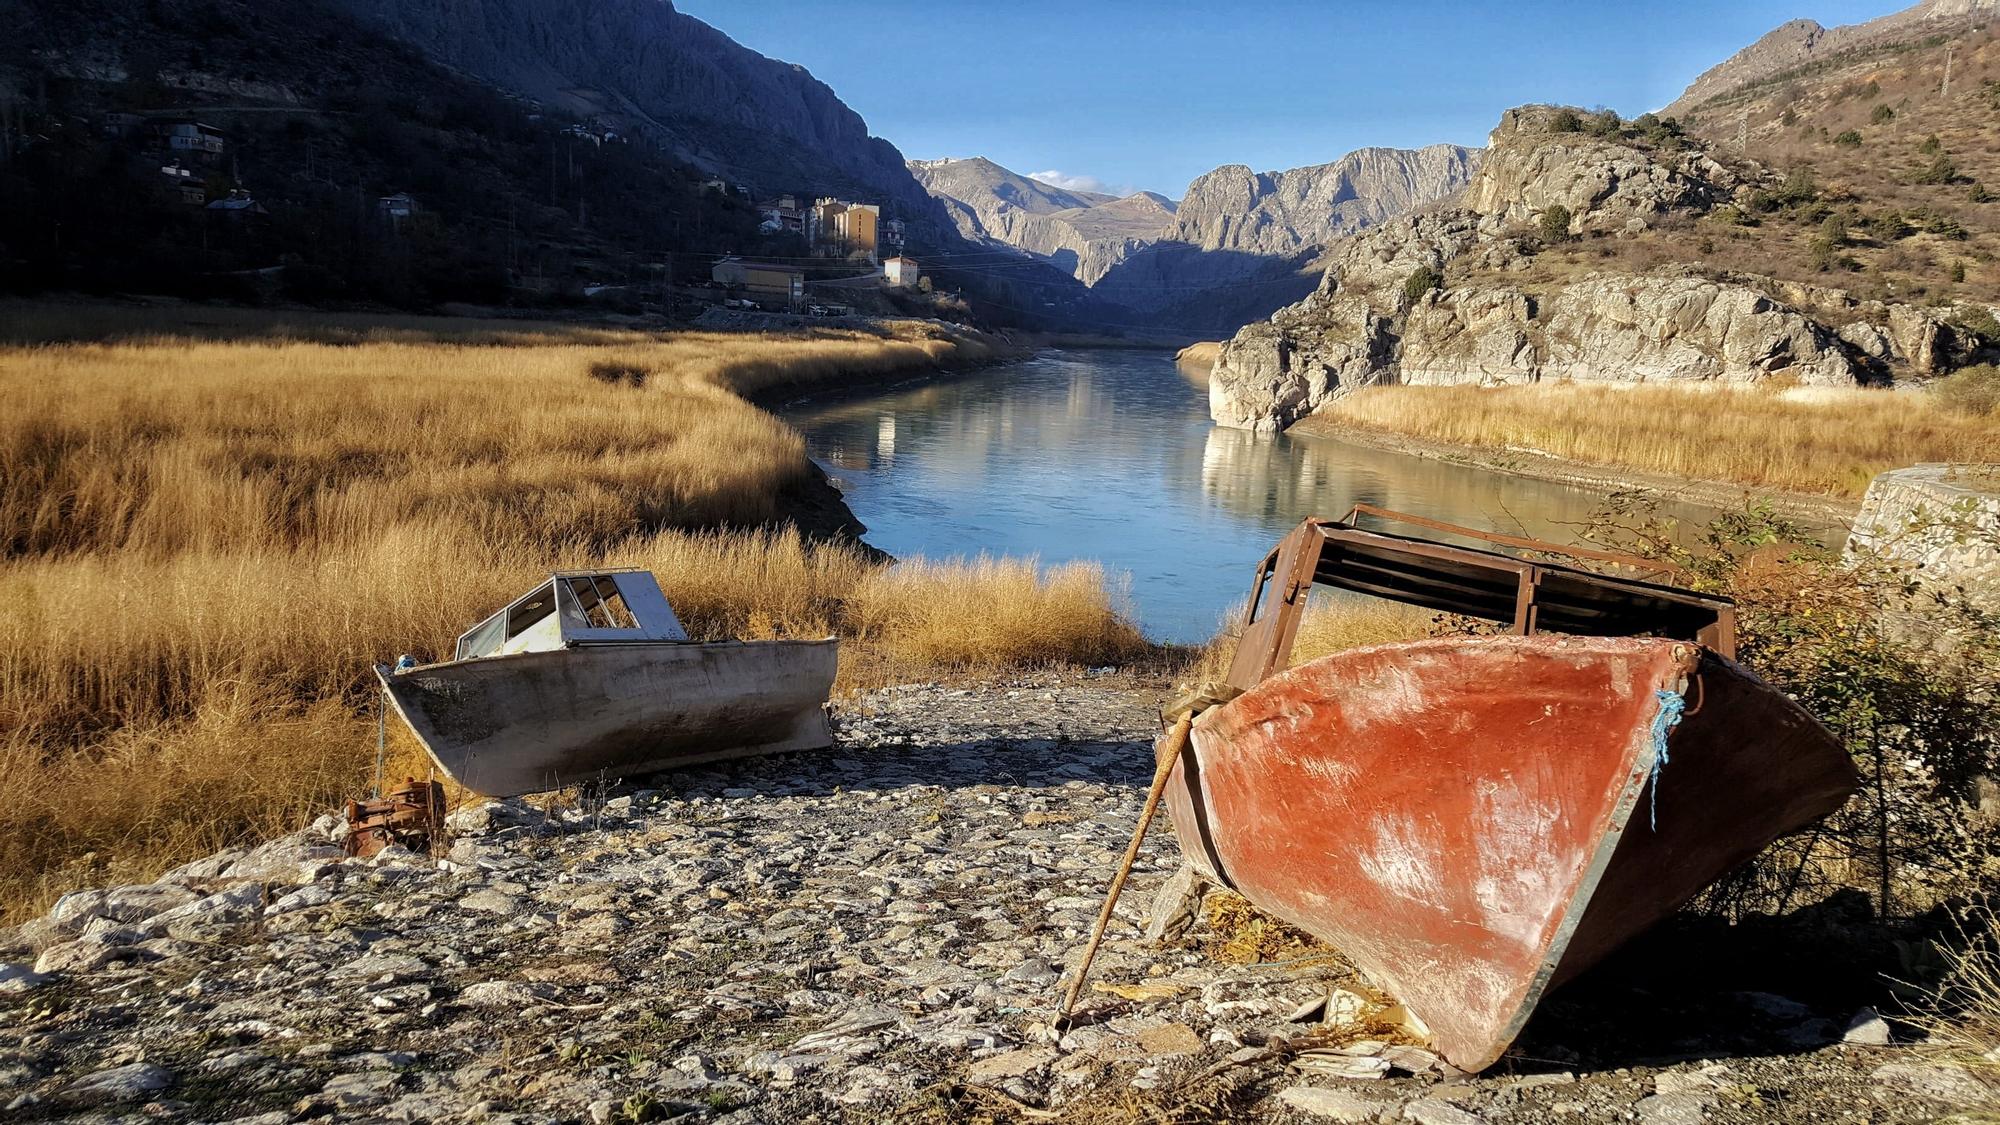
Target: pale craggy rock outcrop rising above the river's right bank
x: 1557, y: 263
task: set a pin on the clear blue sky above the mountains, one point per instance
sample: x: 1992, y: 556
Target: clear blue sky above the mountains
x: 1149, y: 95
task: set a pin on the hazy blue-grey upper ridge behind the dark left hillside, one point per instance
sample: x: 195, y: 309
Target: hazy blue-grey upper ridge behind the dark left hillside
x: 721, y: 105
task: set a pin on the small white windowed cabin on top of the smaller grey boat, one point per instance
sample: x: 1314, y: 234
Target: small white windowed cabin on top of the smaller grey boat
x: 577, y: 610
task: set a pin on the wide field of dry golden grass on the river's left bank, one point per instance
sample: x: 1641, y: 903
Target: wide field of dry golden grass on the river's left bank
x: 209, y: 543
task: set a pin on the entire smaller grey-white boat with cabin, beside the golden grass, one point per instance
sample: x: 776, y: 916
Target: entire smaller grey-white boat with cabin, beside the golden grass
x: 591, y: 676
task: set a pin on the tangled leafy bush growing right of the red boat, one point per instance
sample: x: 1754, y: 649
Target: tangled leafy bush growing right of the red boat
x: 1901, y: 674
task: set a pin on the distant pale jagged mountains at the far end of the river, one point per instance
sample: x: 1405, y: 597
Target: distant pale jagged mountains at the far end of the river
x: 1239, y: 243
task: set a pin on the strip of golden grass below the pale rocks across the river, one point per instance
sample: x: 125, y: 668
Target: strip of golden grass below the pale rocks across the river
x: 1801, y: 441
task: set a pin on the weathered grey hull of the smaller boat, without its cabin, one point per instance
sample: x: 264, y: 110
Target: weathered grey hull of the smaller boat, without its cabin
x: 537, y: 722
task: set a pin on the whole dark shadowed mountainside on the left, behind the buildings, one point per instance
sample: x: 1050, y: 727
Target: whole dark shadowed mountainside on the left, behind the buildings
x: 491, y: 113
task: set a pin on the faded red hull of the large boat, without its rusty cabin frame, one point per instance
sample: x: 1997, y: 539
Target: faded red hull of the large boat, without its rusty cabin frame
x: 1473, y: 822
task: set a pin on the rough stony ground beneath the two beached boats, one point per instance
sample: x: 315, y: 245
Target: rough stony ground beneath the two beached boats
x: 875, y: 934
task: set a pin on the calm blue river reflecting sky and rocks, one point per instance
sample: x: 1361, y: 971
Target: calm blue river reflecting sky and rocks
x: 1111, y: 455
